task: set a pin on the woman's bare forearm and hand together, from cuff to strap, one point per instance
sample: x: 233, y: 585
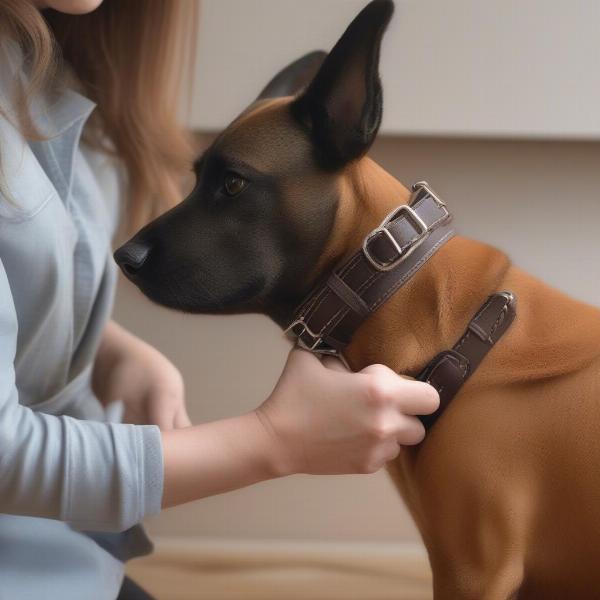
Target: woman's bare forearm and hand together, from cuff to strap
x: 319, y: 419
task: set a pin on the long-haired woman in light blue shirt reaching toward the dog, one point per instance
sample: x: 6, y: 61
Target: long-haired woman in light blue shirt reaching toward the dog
x: 64, y: 469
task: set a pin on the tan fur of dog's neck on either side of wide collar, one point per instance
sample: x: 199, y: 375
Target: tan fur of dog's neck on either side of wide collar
x: 431, y: 311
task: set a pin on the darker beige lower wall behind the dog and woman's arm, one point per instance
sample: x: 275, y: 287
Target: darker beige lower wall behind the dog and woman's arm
x: 538, y: 201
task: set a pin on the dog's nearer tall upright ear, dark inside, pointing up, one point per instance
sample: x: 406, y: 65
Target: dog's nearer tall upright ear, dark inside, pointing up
x: 342, y: 106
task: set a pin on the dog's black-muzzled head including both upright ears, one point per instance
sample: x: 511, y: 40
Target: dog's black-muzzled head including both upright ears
x: 250, y: 236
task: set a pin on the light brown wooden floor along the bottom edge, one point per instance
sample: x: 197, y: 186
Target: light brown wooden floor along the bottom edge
x: 273, y: 571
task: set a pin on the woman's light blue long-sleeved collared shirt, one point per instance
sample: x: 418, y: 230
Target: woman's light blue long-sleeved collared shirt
x: 61, y: 463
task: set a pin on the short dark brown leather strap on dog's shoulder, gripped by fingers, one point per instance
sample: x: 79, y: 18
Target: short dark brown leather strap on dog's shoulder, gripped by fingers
x: 449, y: 370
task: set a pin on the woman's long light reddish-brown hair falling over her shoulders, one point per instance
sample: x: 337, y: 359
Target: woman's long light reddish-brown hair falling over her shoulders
x: 130, y: 58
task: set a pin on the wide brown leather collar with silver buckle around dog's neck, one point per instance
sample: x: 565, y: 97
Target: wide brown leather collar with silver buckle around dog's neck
x: 391, y: 254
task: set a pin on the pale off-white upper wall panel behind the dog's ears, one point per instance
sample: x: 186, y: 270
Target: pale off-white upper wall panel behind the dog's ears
x: 500, y: 68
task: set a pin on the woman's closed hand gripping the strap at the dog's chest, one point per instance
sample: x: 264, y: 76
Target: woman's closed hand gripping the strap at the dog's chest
x: 327, y: 420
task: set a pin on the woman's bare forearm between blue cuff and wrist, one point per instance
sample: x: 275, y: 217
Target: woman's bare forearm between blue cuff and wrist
x: 217, y: 457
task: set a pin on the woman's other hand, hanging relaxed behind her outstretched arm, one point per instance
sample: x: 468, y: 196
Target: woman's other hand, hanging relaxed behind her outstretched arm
x: 149, y: 385
